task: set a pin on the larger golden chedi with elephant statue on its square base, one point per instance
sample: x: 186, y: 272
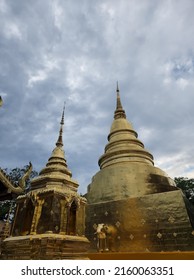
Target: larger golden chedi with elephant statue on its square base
x: 134, y: 203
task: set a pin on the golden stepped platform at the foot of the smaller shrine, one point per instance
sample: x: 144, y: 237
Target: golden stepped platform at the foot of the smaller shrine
x: 45, y: 247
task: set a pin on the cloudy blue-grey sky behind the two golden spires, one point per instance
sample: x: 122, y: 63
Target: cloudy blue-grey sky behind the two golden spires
x: 53, y: 51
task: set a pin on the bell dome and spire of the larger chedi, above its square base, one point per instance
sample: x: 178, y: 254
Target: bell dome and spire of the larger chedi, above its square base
x: 126, y: 167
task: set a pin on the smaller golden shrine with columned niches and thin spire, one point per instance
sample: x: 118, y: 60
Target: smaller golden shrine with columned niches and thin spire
x: 49, y: 220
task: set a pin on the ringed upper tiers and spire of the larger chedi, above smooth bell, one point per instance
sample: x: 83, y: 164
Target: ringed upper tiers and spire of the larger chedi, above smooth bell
x: 123, y: 146
